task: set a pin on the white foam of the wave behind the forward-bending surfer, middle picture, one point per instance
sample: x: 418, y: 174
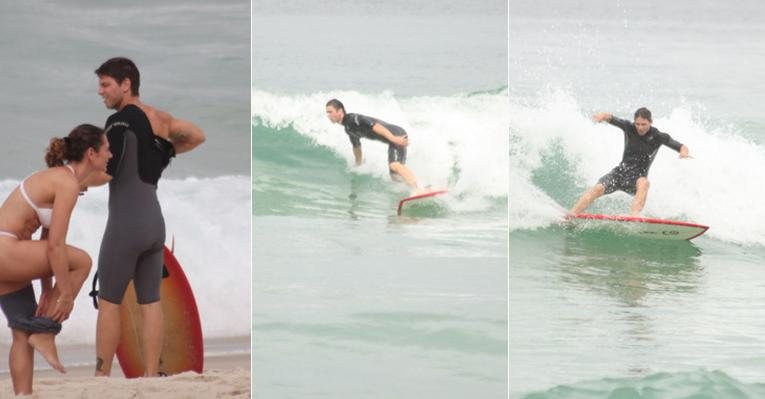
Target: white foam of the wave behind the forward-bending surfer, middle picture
x: 462, y: 132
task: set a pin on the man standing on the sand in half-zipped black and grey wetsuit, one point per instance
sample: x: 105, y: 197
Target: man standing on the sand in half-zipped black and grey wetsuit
x: 142, y: 139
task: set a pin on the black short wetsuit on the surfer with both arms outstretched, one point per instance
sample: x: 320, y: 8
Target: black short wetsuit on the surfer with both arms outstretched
x: 639, y: 153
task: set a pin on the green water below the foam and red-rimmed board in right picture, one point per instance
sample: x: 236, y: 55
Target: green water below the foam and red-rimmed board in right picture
x: 593, y: 313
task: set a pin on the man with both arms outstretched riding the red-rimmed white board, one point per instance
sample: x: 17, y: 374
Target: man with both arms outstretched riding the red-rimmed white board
x: 641, y: 143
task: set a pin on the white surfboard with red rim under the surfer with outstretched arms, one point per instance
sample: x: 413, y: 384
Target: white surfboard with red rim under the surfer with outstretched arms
x: 640, y: 226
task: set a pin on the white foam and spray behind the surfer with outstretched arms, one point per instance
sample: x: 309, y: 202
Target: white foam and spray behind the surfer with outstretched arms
x: 718, y: 187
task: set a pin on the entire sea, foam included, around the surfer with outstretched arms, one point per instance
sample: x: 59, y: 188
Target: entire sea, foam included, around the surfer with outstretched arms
x: 598, y: 315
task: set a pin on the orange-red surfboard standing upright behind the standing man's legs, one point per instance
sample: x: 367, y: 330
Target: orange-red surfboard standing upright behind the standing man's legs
x: 182, y: 348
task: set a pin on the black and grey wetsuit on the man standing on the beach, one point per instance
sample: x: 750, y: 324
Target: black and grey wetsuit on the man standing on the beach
x: 135, y: 230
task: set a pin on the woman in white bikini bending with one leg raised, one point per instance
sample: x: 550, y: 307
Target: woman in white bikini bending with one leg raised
x: 45, y: 198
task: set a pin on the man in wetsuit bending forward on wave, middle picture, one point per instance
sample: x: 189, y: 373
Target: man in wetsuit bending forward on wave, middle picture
x: 358, y: 126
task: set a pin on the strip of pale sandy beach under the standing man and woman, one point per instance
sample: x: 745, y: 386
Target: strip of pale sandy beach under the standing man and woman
x: 226, y: 375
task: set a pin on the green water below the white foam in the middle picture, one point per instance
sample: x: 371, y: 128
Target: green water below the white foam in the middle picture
x: 345, y: 290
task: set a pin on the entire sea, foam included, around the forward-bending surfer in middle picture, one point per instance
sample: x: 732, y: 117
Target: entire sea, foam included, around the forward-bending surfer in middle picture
x: 349, y: 299
